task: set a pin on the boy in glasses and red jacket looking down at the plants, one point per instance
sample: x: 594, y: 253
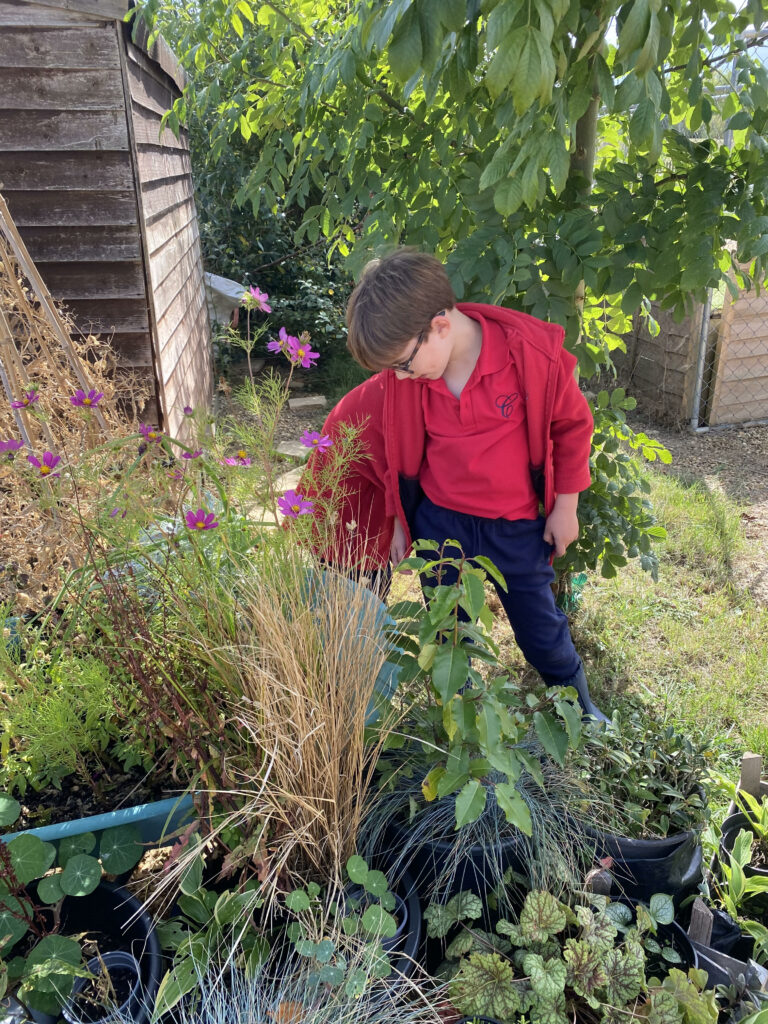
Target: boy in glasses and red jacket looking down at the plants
x: 474, y: 419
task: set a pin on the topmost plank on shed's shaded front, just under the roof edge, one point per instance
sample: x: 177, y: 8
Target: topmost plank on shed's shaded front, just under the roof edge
x: 86, y: 47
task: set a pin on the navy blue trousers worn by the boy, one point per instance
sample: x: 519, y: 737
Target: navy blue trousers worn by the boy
x: 519, y: 550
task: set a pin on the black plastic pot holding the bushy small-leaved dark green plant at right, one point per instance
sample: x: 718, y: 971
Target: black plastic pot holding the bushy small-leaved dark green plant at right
x: 644, y: 867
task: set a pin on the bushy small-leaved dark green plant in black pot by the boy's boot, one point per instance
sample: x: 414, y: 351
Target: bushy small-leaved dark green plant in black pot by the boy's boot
x: 652, y: 775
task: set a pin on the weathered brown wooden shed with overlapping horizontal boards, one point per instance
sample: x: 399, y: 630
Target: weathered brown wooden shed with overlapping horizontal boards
x: 104, y: 203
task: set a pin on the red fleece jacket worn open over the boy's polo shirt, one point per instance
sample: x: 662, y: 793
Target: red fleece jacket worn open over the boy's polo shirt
x: 385, y: 483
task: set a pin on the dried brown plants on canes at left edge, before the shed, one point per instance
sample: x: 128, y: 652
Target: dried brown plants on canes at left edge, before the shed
x: 42, y: 366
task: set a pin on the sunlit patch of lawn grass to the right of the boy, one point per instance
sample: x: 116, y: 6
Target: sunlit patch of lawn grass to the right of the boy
x: 693, y: 646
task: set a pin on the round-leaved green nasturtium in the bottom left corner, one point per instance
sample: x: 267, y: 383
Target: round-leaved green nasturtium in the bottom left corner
x: 35, y: 879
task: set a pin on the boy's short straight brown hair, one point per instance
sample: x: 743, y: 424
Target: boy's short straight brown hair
x: 396, y: 298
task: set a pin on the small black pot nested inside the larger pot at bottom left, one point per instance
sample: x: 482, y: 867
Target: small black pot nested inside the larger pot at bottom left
x: 124, y: 975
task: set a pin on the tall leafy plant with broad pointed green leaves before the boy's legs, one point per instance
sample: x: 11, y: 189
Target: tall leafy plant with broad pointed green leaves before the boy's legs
x: 472, y: 724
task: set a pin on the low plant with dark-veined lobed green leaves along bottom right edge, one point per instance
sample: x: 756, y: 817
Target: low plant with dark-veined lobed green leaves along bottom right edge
x: 559, y: 964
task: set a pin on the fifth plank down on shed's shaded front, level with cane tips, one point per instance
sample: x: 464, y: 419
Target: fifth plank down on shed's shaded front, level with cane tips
x: 60, y: 209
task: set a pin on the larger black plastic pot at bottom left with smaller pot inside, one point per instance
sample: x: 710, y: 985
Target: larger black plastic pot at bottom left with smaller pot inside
x: 116, y: 921
